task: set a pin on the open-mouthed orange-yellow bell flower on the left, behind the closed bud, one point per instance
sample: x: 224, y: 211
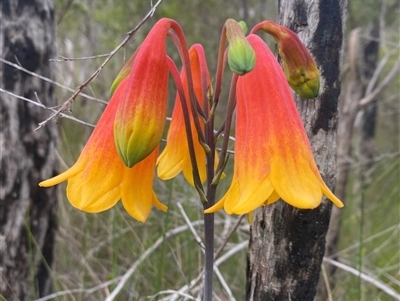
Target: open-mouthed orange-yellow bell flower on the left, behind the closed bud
x: 99, y: 179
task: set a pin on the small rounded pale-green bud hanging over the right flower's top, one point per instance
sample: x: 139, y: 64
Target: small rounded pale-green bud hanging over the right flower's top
x: 241, y: 57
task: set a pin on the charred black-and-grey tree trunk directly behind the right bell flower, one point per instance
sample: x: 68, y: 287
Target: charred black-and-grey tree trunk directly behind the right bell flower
x: 287, y: 244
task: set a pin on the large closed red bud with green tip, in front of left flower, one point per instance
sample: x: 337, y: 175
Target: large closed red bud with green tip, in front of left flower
x: 142, y: 109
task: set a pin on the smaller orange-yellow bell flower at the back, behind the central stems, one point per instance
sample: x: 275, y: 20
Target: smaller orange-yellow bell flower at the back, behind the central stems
x: 176, y: 157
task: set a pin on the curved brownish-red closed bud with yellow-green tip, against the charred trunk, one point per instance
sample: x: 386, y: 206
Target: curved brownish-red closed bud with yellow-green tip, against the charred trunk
x: 300, y: 69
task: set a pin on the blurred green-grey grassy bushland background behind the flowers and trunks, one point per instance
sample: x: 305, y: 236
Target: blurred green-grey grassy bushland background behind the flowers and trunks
x: 94, y: 249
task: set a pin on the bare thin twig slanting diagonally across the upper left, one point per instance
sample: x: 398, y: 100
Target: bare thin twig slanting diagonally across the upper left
x: 78, y: 91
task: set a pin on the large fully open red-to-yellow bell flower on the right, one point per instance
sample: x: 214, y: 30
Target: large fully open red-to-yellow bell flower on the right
x: 273, y: 157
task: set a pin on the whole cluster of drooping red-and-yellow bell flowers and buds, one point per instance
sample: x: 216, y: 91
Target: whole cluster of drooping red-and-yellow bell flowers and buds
x: 272, y: 154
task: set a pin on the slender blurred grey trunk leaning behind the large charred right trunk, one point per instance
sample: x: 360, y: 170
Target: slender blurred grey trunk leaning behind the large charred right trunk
x: 363, y: 57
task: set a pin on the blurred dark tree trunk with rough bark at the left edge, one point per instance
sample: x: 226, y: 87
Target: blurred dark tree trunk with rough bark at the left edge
x: 27, y: 212
